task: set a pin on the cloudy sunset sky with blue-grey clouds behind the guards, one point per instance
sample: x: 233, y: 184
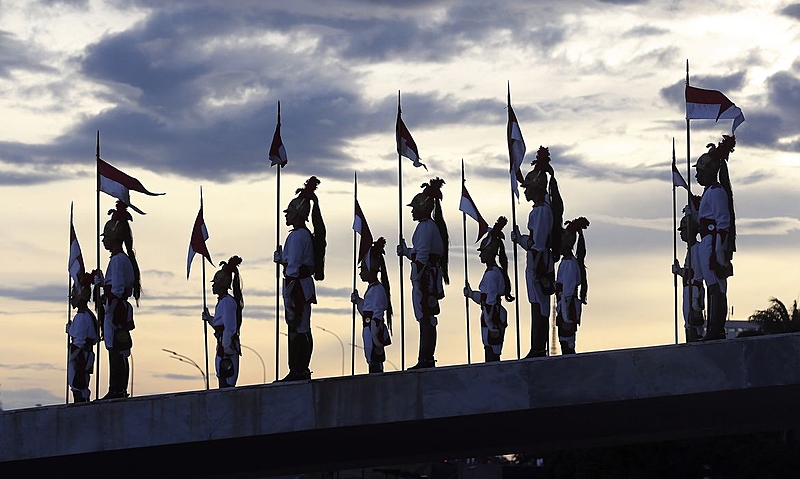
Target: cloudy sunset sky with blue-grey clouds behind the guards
x: 184, y: 95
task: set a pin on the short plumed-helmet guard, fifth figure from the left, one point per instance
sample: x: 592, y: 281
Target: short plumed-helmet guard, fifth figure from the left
x: 375, y: 307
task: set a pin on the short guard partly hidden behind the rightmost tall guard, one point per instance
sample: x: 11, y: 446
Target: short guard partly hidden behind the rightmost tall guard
x: 691, y: 275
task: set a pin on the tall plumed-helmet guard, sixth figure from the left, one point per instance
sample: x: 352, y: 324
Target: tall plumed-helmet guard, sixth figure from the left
x: 429, y: 258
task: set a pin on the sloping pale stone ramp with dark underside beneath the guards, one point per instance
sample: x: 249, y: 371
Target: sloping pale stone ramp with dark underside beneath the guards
x: 539, y: 405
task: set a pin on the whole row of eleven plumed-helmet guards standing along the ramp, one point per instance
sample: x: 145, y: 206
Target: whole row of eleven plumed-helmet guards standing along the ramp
x: 548, y: 240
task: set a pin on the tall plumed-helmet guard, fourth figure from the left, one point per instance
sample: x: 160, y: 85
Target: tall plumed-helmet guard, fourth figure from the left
x: 303, y: 259
